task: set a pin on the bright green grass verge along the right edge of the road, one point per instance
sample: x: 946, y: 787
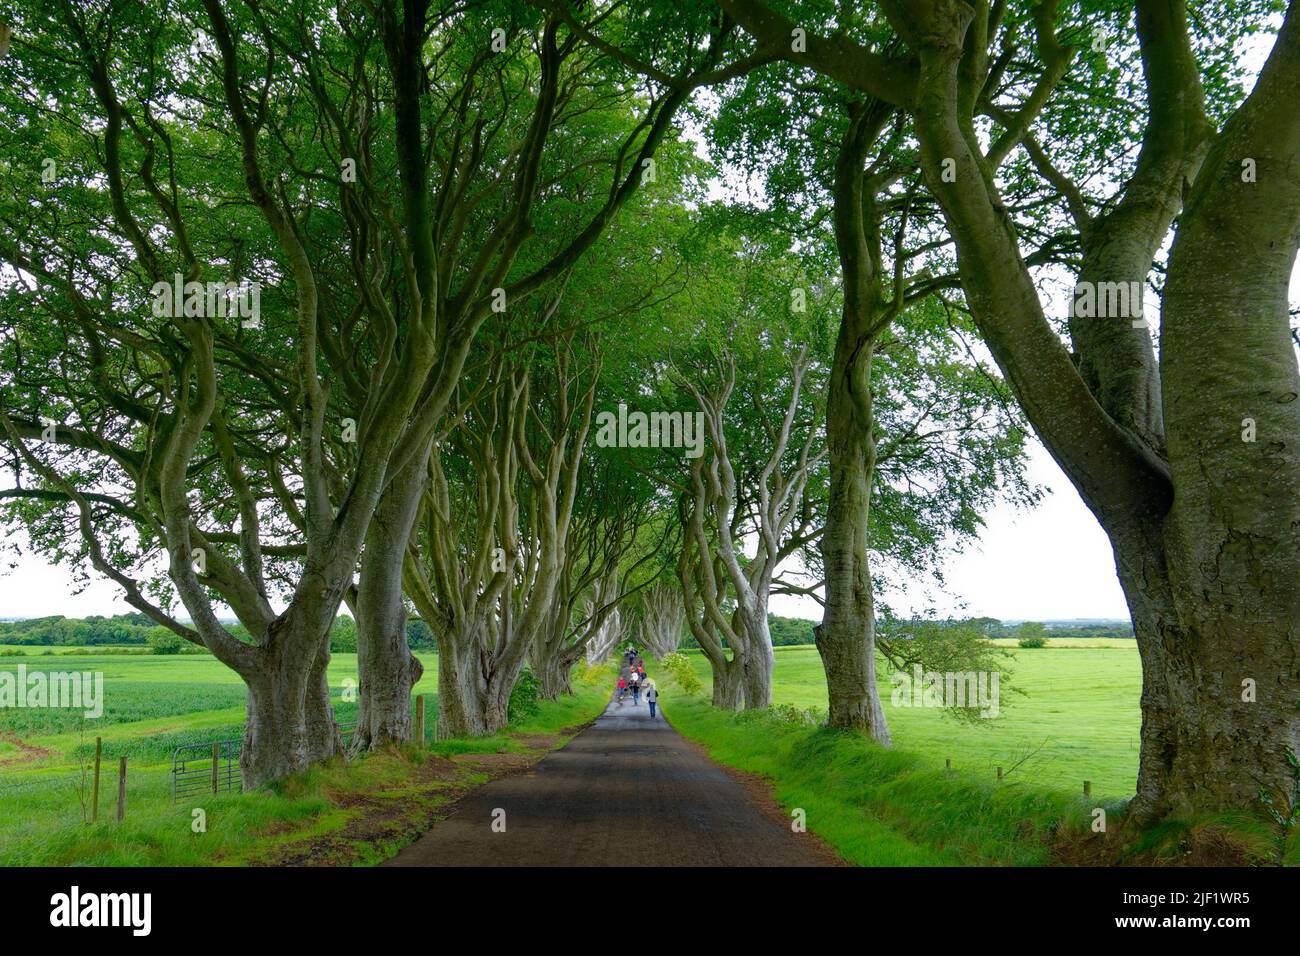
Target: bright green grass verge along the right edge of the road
x: 881, y: 807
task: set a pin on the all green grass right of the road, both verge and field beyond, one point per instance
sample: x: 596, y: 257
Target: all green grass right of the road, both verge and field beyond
x: 904, y: 807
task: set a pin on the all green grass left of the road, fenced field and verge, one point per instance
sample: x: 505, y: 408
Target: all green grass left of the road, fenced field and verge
x: 158, y: 703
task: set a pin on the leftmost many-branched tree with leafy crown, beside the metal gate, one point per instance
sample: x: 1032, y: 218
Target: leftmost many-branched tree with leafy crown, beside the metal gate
x: 163, y: 150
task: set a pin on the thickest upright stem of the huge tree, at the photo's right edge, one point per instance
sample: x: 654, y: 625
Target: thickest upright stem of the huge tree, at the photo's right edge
x: 1233, y: 418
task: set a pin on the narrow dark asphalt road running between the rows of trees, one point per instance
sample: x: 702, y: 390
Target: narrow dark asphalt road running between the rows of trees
x: 627, y: 791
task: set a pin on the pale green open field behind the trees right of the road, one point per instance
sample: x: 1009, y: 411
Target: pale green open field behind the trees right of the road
x: 1078, y: 719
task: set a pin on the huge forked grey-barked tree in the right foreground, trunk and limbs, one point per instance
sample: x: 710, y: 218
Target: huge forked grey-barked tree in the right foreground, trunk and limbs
x: 1165, y: 452
